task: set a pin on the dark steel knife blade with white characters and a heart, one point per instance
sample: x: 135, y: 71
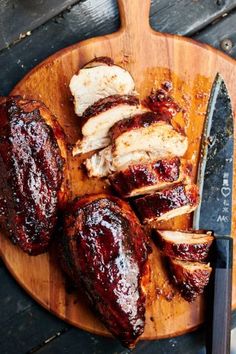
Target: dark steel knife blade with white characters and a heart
x: 215, y: 172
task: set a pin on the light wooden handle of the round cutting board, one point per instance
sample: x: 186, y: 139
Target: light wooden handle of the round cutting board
x: 134, y: 15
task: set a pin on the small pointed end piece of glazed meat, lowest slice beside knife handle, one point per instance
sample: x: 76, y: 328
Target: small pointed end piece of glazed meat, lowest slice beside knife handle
x: 190, y: 277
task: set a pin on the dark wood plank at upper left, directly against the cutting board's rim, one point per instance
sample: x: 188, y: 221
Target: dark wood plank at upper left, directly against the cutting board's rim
x: 54, y: 35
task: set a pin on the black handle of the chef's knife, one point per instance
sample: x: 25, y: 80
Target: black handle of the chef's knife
x: 219, y: 298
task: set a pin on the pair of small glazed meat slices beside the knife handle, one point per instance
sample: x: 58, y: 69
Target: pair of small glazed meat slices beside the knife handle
x: 187, y: 253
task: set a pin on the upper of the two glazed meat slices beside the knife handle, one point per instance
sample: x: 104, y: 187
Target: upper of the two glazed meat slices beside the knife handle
x: 185, y: 246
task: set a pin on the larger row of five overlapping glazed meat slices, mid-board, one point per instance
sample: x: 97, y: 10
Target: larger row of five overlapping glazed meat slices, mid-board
x: 140, y: 147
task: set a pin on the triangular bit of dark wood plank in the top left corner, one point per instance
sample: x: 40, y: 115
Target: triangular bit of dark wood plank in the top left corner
x: 24, y: 16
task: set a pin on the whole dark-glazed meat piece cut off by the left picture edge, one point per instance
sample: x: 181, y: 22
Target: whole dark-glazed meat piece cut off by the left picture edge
x: 32, y: 152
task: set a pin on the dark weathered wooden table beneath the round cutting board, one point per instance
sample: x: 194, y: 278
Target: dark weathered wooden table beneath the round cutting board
x: 29, y: 32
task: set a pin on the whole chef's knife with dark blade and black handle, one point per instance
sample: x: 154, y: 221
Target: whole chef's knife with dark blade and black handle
x: 215, y: 177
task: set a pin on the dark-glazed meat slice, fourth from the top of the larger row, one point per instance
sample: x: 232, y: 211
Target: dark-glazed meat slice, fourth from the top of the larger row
x: 146, y: 178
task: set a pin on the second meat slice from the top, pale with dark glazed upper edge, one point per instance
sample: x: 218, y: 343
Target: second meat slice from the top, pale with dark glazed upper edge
x: 100, y: 117
